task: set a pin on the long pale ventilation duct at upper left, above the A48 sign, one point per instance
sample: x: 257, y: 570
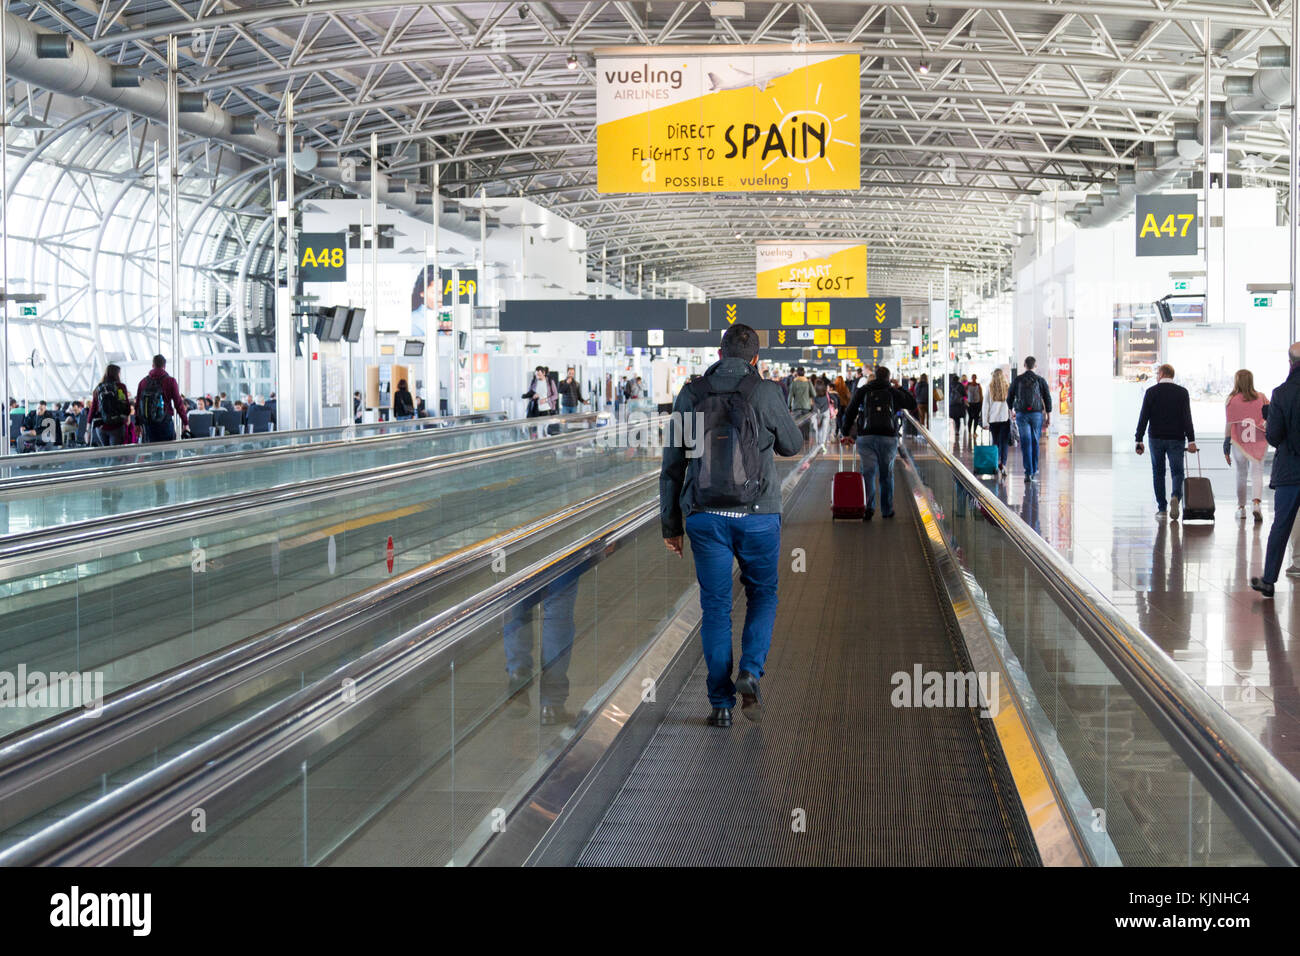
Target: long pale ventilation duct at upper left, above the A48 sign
x: 58, y: 63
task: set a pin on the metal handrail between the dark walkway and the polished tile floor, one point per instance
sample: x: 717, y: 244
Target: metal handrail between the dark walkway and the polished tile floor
x: 1233, y: 763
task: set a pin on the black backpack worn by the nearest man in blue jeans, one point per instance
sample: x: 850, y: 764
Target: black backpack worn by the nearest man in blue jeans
x: 729, y: 470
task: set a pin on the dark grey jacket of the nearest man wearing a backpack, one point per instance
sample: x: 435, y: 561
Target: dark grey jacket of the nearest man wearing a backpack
x: 777, y: 432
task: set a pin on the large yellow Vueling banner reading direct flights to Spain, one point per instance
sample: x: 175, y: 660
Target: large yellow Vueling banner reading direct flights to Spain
x: 743, y: 120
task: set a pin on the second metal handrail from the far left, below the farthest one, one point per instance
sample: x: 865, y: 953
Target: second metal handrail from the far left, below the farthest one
x: 92, y: 533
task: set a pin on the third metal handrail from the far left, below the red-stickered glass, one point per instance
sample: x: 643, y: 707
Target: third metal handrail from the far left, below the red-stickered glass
x: 38, y: 760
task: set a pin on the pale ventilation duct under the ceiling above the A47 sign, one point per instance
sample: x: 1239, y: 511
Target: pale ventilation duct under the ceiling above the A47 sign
x: 1250, y: 101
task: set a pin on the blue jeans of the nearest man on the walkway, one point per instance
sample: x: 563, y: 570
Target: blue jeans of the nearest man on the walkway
x: 756, y: 543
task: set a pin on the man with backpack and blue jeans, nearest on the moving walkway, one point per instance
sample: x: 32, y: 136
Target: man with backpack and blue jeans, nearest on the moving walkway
x: 720, y: 487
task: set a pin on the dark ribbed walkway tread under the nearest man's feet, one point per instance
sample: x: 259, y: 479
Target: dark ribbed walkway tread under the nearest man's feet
x: 879, y: 786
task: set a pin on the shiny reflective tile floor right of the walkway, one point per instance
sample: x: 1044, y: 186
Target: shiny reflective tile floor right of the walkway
x: 1186, y: 586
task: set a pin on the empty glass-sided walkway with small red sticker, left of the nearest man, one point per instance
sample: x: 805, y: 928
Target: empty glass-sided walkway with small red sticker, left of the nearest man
x: 151, y: 592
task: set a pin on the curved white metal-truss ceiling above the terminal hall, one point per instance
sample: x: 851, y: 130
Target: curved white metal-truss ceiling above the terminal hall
x: 970, y: 109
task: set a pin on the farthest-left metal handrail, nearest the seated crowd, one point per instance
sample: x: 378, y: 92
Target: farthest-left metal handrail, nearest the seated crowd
x: 223, y: 461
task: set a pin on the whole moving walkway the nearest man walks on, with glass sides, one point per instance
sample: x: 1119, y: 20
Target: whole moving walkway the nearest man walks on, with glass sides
x: 1090, y: 747
